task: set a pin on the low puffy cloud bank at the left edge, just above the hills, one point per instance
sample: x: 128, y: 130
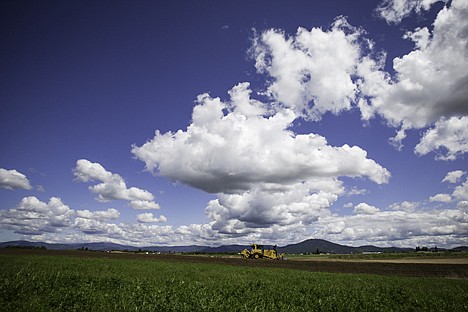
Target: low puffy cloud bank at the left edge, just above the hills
x: 34, y: 217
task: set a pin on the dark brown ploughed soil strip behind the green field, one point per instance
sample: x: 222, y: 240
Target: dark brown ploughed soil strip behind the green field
x: 388, y: 267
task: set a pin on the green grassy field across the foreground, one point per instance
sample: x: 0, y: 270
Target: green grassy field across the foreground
x: 32, y: 282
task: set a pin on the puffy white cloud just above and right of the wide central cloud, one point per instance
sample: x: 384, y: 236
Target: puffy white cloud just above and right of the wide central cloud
x: 312, y: 71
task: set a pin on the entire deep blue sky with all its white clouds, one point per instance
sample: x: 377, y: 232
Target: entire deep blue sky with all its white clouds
x: 210, y: 123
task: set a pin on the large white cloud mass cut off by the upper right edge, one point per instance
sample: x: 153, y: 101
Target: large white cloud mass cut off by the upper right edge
x: 430, y: 85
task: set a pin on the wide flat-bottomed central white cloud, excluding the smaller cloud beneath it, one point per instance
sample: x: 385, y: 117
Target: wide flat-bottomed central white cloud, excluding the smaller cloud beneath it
x: 233, y: 152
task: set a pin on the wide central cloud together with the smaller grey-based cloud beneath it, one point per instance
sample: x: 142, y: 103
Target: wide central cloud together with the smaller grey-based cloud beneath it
x: 263, y: 173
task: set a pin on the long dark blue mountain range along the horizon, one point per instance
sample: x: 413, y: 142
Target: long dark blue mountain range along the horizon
x: 307, y: 246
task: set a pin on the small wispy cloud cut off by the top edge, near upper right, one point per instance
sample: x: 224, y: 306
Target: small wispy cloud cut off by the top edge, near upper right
x: 393, y: 11
